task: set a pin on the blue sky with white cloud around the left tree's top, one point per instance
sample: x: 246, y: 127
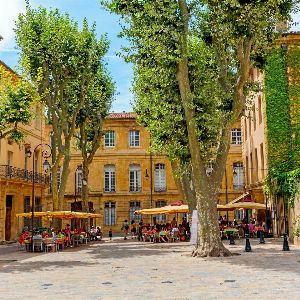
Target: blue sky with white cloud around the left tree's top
x: 78, y: 9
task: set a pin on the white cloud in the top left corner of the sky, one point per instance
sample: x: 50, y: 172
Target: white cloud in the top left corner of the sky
x: 9, y: 10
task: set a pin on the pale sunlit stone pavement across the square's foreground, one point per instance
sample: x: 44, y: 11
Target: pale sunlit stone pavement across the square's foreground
x: 121, y: 269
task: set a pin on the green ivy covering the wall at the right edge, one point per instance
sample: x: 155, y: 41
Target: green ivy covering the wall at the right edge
x: 283, y: 113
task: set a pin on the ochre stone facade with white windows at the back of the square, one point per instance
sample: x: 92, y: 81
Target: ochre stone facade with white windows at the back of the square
x: 124, y: 177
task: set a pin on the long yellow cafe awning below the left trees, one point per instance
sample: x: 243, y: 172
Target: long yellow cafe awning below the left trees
x: 60, y: 215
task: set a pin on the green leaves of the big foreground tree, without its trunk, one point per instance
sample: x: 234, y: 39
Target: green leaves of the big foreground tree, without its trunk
x: 155, y: 31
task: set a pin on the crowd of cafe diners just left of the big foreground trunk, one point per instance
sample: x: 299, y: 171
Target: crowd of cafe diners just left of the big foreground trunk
x: 163, y: 233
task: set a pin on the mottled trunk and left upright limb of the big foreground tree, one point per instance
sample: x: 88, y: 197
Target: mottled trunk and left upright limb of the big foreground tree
x: 209, y: 241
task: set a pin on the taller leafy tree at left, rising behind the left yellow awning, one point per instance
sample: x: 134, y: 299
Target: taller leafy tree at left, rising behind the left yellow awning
x: 66, y: 65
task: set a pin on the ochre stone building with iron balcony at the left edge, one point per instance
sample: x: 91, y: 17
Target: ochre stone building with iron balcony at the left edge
x: 16, y: 175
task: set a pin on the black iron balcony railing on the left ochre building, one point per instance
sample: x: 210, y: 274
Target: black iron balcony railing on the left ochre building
x: 12, y: 173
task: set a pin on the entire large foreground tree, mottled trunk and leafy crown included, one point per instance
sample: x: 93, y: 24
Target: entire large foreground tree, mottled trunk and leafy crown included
x: 192, y: 61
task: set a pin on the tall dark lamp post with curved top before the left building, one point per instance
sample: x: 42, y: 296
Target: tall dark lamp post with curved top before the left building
x: 46, y: 166
